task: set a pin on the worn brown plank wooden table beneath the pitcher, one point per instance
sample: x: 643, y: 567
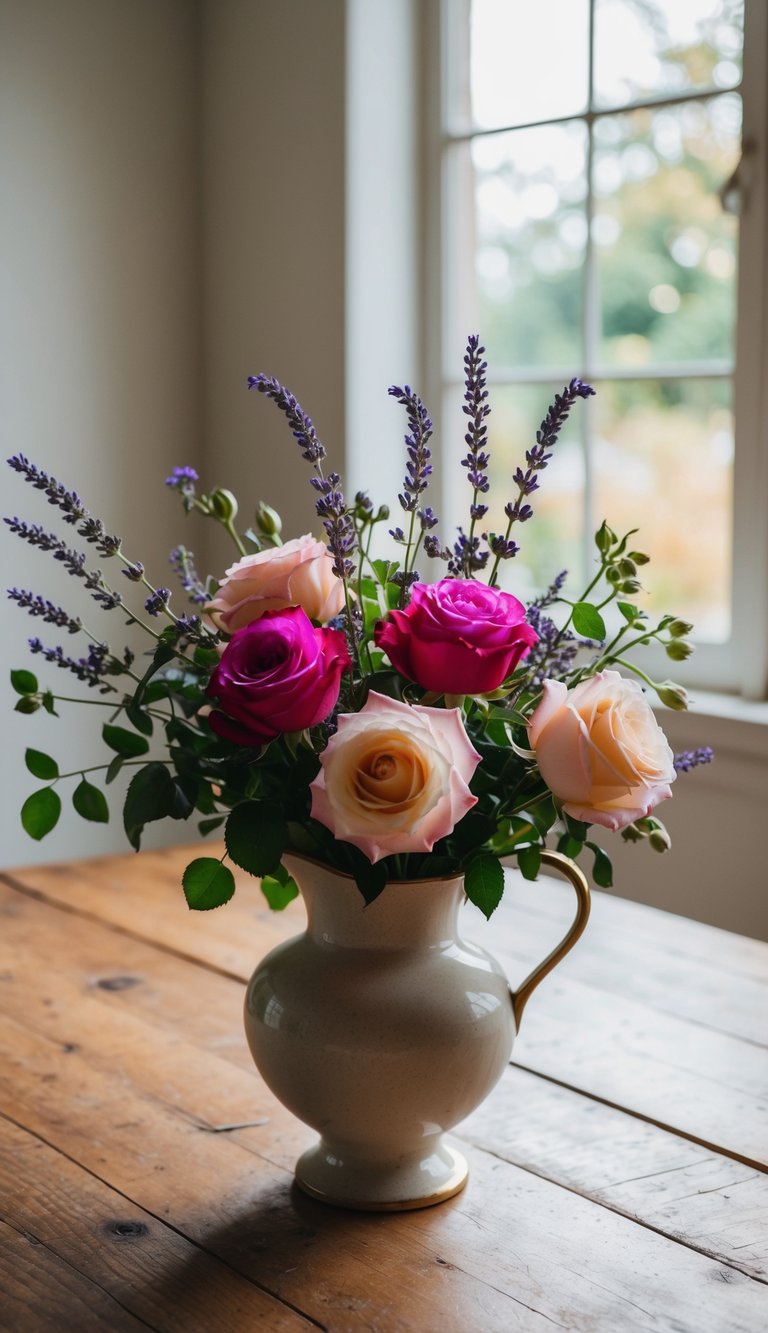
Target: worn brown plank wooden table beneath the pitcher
x: 146, y: 1174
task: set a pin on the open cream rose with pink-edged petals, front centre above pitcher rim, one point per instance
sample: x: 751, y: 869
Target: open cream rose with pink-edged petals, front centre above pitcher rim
x: 395, y: 778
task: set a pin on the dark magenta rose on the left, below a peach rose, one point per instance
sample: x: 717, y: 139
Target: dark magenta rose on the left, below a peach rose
x: 277, y: 675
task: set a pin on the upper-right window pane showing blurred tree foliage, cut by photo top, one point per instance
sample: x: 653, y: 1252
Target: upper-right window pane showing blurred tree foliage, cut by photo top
x: 655, y: 49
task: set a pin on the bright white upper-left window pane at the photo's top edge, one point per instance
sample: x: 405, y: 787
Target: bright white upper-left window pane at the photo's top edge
x: 529, y: 62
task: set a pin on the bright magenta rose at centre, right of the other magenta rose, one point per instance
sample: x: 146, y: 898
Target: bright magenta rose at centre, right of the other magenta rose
x: 457, y: 637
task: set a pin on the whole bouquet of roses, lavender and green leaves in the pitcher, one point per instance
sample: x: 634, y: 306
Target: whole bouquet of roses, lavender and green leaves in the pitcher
x: 321, y: 700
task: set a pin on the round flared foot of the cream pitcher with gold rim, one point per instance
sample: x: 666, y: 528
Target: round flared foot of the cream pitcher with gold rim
x: 398, y: 1188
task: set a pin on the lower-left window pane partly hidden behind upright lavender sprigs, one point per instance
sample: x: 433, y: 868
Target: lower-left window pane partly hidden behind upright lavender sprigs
x: 553, y: 541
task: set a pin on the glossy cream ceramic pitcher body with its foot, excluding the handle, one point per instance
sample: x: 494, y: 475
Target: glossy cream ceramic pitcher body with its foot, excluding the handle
x: 382, y: 1030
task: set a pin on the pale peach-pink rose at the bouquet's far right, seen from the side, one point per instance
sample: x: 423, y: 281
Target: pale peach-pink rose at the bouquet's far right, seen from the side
x: 601, y: 750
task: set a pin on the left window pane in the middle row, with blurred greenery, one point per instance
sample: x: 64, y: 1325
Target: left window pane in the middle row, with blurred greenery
x: 531, y: 234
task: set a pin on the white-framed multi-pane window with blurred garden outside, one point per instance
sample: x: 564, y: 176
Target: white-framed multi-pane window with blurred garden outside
x: 603, y: 215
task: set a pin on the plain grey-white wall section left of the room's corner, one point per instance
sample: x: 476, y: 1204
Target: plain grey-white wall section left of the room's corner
x: 99, y: 325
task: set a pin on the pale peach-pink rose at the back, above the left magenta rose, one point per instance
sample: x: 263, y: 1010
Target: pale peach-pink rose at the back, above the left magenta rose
x: 299, y: 574
